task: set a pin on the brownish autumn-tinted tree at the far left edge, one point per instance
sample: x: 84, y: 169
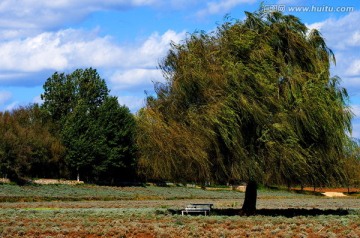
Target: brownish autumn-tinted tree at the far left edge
x: 27, y: 148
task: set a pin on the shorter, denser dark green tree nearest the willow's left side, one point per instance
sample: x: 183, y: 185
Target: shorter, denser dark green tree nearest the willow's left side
x: 116, y: 157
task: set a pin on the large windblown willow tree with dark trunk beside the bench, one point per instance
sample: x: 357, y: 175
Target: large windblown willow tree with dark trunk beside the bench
x: 252, y: 101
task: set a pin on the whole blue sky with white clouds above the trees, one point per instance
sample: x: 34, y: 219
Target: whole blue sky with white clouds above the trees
x: 125, y: 40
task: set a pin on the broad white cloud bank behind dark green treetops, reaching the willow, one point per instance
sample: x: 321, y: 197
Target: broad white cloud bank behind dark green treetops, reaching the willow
x: 127, y: 67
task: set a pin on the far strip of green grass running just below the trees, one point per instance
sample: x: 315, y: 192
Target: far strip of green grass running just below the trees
x: 38, y: 193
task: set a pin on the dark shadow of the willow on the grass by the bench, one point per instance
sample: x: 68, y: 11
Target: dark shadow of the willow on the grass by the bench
x: 290, y: 212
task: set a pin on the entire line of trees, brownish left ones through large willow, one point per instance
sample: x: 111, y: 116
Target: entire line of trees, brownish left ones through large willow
x: 252, y: 101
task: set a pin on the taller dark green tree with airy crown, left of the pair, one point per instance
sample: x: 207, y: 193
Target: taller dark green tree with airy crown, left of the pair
x: 71, y: 101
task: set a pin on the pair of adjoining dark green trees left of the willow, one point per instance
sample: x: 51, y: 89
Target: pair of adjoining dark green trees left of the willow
x: 95, y: 129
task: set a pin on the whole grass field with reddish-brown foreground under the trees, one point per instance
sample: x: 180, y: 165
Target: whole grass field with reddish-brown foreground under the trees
x: 93, y: 211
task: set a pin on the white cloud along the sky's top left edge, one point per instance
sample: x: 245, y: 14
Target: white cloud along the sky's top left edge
x: 45, y: 14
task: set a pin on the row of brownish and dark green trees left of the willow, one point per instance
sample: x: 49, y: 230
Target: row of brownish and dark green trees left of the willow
x: 79, y: 131
